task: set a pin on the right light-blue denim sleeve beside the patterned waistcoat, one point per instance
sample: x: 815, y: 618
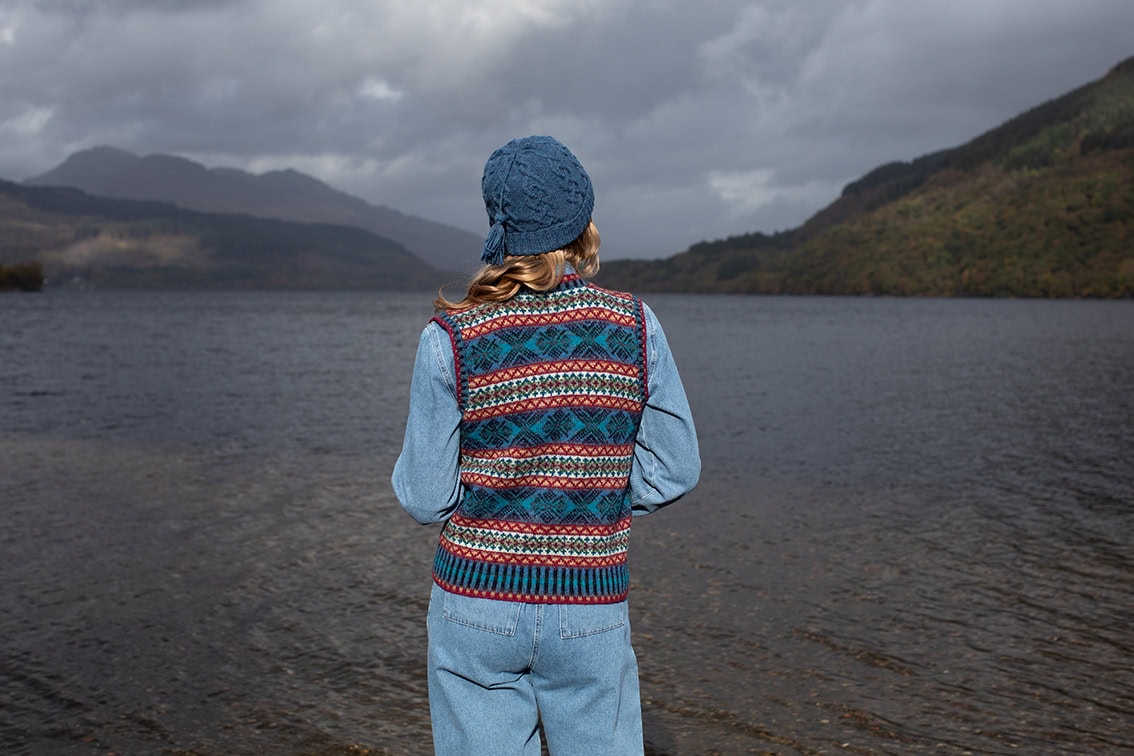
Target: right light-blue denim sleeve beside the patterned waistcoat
x: 667, y: 461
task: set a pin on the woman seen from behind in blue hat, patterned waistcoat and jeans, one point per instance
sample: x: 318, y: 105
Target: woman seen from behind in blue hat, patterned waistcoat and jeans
x: 545, y: 413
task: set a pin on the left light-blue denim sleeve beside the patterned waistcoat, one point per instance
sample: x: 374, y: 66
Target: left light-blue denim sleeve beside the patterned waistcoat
x: 426, y: 478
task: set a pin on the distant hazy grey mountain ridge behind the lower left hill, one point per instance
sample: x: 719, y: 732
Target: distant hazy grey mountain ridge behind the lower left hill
x: 286, y: 196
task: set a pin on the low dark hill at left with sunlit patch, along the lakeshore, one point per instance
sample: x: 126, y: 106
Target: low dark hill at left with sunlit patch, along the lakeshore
x: 78, y: 237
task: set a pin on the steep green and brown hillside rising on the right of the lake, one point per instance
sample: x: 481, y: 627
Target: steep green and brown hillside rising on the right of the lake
x: 1039, y: 207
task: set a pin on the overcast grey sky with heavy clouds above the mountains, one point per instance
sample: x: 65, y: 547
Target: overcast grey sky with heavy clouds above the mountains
x: 697, y: 121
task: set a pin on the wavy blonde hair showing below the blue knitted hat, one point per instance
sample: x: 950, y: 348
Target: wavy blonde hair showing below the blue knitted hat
x: 534, y: 273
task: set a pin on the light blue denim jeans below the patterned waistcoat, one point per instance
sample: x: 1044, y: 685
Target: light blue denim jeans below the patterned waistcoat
x: 497, y: 668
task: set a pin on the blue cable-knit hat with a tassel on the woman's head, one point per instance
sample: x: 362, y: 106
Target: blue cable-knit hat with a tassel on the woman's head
x: 538, y: 199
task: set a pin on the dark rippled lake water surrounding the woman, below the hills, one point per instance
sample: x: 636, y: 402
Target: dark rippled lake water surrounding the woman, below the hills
x: 915, y: 531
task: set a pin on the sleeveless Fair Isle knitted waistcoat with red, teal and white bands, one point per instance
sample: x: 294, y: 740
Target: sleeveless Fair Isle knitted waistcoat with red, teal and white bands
x: 551, y: 388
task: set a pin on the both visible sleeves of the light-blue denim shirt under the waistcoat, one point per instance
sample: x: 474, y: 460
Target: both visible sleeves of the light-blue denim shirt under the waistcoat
x: 667, y: 463
